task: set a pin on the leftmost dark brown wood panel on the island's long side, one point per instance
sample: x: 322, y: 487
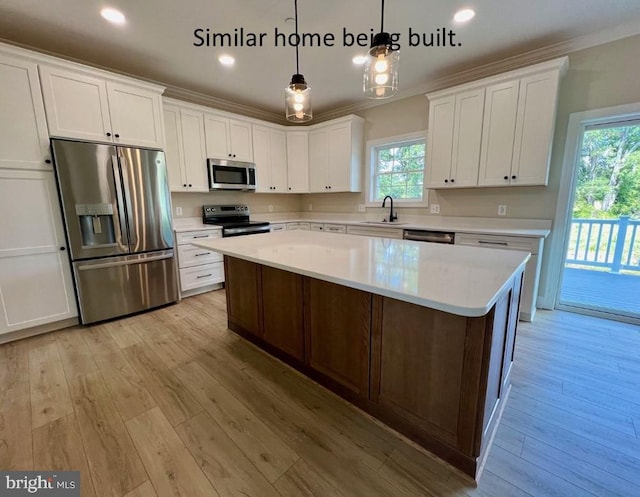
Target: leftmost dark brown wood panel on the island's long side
x: 244, y: 300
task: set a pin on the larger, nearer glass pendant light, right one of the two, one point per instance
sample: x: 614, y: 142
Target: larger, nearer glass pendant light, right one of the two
x: 381, y: 67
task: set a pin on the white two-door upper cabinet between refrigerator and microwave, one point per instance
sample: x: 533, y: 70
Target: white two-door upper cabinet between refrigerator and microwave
x: 185, y: 149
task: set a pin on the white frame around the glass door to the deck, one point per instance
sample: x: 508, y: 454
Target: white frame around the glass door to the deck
x: 578, y: 122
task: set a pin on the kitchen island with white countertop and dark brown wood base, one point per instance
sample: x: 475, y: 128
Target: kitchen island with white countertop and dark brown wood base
x: 419, y: 335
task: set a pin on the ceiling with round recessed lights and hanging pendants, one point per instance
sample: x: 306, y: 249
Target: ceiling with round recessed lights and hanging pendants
x: 157, y: 42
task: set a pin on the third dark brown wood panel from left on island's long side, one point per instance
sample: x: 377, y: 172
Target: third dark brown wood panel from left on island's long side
x: 338, y: 327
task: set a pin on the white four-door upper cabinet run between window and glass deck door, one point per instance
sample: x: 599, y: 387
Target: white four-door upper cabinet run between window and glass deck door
x: 494, y: 132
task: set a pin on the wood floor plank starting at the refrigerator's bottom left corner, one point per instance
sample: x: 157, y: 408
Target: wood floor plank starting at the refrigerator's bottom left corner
x: 124, y: 384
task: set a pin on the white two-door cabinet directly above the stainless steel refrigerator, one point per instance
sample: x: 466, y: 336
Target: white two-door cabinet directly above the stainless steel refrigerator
x: 87, y: 107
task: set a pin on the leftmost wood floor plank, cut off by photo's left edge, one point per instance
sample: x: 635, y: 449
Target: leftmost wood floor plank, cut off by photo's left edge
x: 15, y: 407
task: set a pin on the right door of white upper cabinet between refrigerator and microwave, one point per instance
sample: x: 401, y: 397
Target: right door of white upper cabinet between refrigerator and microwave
x: 195, y: 153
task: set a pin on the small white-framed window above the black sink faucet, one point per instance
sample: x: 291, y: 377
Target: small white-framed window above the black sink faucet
x: 396, y: 168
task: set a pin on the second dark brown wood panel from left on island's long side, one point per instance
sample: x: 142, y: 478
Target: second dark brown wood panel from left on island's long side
x: 283, y: 325
